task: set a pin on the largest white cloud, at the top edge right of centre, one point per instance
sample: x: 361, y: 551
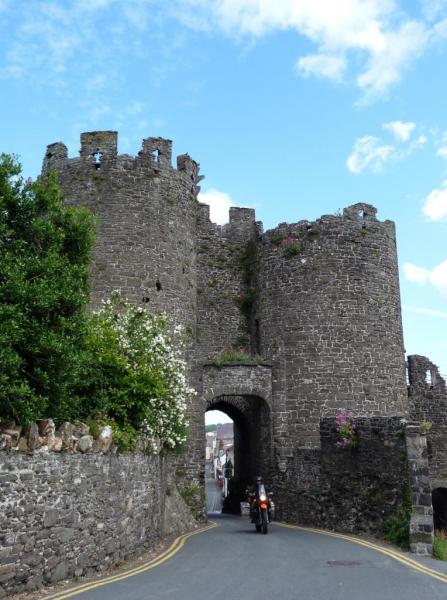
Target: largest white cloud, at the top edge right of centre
x: 379, y: 37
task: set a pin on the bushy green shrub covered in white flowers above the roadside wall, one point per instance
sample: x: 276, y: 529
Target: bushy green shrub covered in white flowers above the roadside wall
x: 137, y: 374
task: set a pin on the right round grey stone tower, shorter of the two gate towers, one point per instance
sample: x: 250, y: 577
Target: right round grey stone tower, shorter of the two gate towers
x: 329, y: 311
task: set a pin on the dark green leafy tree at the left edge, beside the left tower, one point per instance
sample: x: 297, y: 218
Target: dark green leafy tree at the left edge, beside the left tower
x: 45, y: 249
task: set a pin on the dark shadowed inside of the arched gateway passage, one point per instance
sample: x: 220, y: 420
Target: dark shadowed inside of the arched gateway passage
x: 251, y: 451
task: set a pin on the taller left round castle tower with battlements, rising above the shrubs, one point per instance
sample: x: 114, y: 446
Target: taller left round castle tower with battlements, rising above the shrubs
x: 146, y: 216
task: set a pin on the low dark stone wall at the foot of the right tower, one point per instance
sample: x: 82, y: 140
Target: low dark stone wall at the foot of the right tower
x: 347, y: 489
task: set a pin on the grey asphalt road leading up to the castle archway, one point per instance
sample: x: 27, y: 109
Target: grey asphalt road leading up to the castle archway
x: 232, y: 561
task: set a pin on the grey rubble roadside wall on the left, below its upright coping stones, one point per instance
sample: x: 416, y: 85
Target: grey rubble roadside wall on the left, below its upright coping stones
x: 64, y: 516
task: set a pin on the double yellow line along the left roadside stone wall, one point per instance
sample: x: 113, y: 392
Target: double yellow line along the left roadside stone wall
x: 175, y: 547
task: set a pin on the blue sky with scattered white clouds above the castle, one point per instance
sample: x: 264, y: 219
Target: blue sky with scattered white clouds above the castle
x: 294, y: 107
